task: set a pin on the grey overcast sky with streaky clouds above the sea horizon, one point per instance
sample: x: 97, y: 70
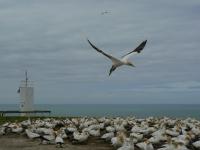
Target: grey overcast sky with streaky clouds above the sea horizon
x: 48, y: 37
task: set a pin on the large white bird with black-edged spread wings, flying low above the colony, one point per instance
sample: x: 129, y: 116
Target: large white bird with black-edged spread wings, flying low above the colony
x: 124, y: 60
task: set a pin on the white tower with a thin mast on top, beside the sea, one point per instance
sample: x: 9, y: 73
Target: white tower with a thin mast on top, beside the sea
x: 26, y: 95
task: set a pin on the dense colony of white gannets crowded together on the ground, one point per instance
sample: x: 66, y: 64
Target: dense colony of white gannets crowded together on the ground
x: 128, y: 133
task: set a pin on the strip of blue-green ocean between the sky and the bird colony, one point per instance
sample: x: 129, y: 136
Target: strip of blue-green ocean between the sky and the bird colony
x: 114, y: 110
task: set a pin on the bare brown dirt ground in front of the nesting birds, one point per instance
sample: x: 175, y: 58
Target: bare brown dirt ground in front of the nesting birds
x: 18, y: 142
